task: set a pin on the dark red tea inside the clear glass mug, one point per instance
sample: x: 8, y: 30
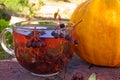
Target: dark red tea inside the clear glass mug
x: 47, y: 59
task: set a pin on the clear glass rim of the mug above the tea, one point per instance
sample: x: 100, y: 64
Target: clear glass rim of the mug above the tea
x: 42, y: 23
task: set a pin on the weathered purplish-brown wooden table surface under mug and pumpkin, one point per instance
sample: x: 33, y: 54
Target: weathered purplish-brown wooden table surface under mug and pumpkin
x: 11, y: 70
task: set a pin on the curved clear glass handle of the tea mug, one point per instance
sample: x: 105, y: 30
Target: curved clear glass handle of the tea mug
x: 3, y: 41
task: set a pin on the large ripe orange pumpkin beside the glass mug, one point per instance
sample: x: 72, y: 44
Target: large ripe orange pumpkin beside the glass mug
x: 99, y: 32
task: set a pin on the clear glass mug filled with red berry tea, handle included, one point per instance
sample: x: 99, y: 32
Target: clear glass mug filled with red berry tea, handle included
x: 40, y: 46
